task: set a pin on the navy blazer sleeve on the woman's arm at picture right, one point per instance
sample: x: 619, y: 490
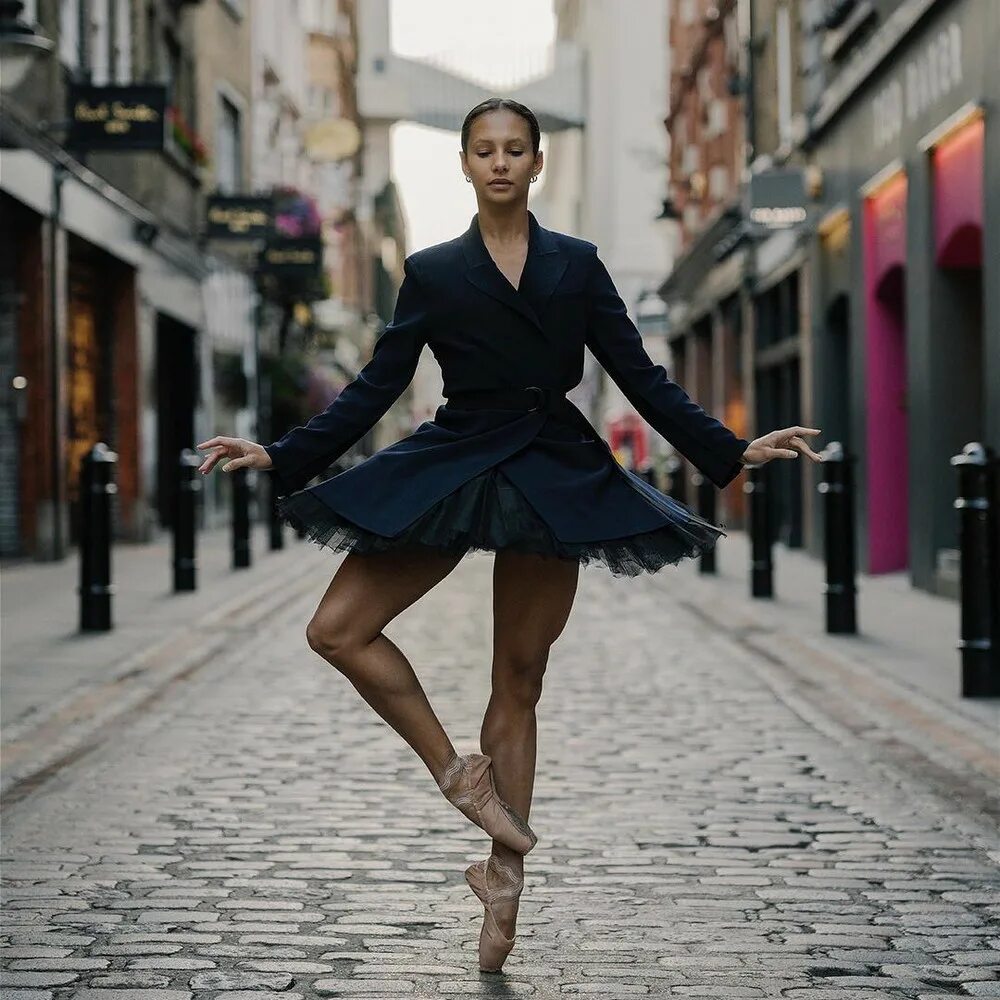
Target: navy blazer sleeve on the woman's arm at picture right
x: 617, y: 344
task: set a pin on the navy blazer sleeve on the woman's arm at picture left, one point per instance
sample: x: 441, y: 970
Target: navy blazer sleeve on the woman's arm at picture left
x: 307, y: 450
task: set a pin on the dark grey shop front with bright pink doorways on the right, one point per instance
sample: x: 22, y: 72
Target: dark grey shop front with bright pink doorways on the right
x: 906, y: 309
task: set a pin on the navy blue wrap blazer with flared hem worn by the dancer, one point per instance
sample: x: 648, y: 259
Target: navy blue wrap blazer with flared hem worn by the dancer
x: 485, y: 334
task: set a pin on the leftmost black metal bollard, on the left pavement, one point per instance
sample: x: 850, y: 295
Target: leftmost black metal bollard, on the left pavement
x: 96, y: 490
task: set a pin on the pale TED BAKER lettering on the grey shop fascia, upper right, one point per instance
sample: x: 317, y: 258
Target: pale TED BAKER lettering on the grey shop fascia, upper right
x: 927, y: 77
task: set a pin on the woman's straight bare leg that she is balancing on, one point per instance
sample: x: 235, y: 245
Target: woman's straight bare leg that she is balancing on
x: 532, y: 599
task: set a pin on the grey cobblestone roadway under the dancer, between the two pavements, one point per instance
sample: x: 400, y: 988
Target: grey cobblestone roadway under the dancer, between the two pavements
x: 263, y: 833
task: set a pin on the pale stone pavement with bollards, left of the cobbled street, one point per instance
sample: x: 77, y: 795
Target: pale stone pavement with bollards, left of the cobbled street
x: 61, y: 687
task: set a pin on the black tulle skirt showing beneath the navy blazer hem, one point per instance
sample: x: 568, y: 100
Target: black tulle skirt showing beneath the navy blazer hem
x: 489, y: 513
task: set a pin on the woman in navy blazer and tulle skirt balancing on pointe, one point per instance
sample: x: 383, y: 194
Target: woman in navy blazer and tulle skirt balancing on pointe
x: 508, y: 464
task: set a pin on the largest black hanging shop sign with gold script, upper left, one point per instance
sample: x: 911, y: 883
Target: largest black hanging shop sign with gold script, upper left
x: 122, y: 118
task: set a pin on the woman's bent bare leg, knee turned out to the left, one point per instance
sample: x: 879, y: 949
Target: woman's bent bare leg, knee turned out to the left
x: 366, y: 593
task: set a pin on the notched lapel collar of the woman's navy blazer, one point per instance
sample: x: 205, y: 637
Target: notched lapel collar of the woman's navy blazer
x: 543, y: 267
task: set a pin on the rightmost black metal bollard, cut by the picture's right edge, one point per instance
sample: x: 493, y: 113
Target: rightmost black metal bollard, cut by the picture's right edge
x: 980, y: 570
